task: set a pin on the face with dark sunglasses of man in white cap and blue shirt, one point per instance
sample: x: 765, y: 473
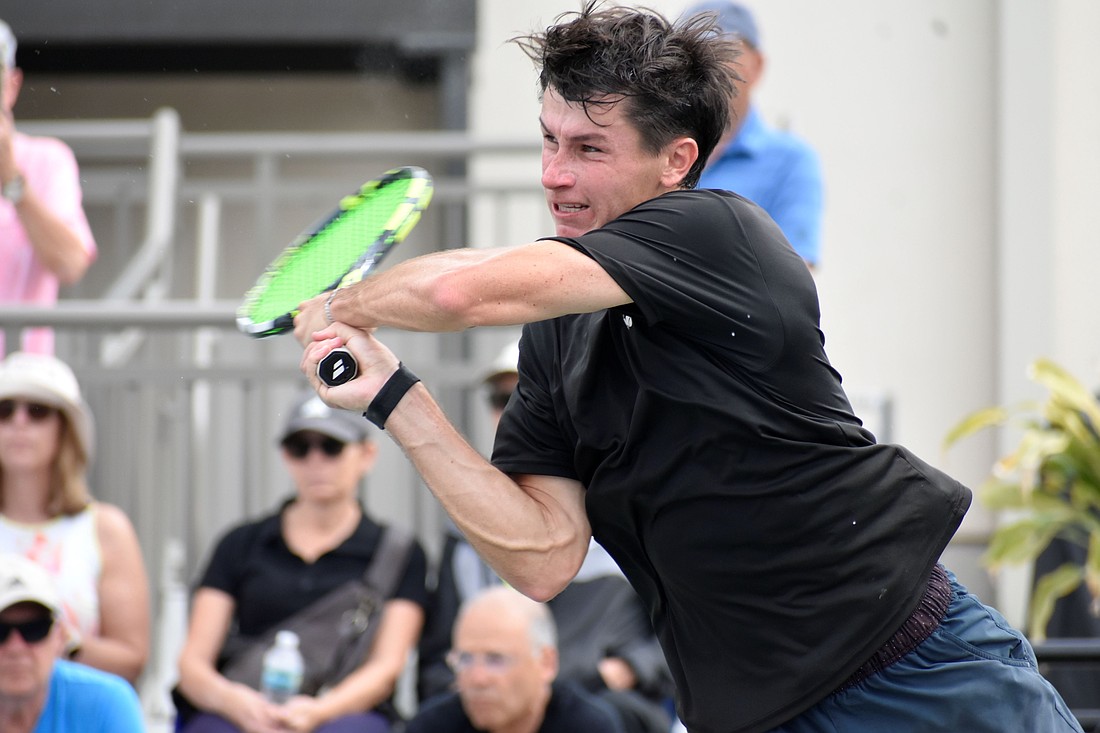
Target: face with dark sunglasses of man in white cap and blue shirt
x: 26, y: 665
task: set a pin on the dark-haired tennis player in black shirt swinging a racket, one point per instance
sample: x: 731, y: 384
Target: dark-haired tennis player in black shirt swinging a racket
x: 676, y: 402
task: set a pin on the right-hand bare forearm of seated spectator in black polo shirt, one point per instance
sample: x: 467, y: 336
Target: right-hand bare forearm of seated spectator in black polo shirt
x: 375, y: 682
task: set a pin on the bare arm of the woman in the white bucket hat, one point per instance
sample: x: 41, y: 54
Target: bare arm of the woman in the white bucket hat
x: 123, y: 644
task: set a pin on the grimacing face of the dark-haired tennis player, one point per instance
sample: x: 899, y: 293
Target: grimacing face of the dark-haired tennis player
x: 595, y: 170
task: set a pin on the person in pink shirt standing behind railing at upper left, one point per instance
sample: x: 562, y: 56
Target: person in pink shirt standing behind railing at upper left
x: 45, y: 236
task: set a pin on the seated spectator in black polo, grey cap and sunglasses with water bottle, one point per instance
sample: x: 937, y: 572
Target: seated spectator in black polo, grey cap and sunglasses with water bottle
x: 263, y: 573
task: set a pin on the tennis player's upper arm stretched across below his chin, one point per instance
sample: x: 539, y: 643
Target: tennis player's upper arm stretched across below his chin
x: 461, y: 289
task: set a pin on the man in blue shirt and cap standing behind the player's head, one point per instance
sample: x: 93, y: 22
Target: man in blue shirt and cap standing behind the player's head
x: 772, y: 168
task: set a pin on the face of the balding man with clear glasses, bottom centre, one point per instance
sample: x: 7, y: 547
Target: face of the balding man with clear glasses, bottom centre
x: 501, y: 679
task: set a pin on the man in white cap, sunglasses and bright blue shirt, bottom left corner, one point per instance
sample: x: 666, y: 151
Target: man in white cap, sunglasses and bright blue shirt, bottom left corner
x: 40, y: 692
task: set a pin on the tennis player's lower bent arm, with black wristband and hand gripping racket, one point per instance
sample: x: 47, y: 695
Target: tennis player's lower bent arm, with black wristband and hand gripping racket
x: 533, y: 530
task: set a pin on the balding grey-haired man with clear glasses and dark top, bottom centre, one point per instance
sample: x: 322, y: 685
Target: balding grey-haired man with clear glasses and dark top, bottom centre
x: 505, y: 663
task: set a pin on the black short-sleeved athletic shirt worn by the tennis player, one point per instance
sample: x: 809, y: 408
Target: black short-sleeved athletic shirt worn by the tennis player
x: 776, y: 545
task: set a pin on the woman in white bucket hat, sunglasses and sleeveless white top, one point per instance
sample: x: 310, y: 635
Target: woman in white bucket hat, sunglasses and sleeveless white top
x: 48, y: 515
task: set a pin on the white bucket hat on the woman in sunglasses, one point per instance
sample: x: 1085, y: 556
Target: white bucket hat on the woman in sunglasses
x: 49, y: 380
